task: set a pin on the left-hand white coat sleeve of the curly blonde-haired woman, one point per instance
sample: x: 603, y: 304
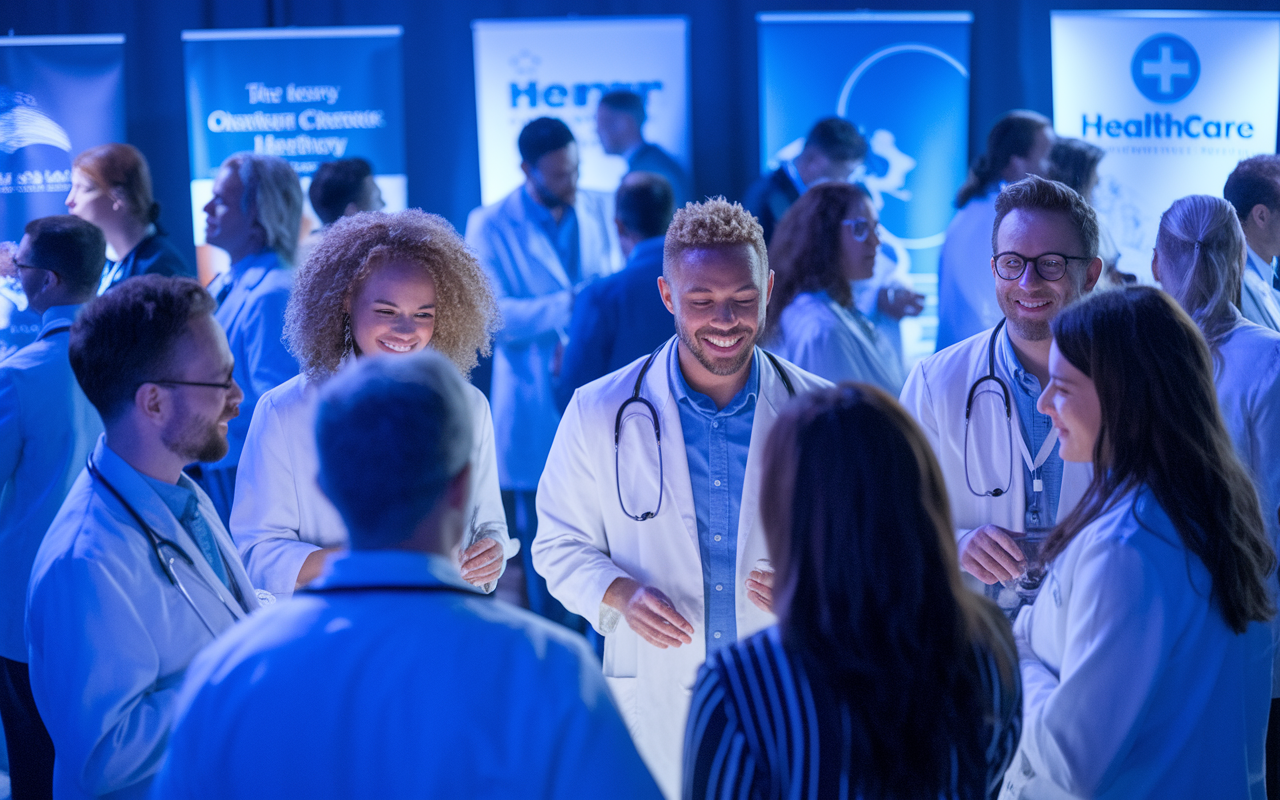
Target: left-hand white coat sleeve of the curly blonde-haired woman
x: 266, y: 519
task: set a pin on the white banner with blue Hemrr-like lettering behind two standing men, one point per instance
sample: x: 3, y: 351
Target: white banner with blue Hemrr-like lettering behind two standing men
x: 531, y: 68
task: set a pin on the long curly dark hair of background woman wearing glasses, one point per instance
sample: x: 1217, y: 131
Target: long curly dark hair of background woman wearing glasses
x: 807, y: 246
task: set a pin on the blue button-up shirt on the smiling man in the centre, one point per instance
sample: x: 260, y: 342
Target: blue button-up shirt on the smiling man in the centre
x: 716, y: 444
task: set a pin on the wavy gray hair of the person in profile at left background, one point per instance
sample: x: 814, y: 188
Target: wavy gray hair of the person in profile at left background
x: 272, y: 188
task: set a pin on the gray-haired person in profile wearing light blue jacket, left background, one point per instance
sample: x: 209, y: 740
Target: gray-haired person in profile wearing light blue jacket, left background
x: 255, y: 216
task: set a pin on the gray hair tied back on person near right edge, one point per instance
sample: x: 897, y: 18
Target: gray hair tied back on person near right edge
x: 1201, y: 252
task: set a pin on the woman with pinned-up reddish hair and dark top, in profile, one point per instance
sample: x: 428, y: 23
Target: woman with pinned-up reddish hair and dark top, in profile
x: 112, y: 189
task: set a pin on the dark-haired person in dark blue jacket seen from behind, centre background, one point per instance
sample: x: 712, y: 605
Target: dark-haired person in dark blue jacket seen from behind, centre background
x: 621, y: 318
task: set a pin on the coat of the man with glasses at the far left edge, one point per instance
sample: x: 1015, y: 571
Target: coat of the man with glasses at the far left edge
x: 48, y: 428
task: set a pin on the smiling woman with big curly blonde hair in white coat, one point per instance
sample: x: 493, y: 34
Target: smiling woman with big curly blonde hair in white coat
x: 378, y: 285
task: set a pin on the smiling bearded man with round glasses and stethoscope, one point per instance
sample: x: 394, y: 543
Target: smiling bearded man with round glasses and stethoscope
x: 977, y: 399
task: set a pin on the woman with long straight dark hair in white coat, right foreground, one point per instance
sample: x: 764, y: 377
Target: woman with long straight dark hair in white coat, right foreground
x: 1146, y: 659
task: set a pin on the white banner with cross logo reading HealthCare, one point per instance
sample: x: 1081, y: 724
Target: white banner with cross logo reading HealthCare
x: 1177, y: 99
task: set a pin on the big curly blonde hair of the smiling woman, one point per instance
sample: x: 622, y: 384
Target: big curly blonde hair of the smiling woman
x: 317, y: 322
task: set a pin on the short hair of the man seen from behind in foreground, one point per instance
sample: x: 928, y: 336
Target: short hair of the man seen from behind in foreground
x: 391, y: 435
